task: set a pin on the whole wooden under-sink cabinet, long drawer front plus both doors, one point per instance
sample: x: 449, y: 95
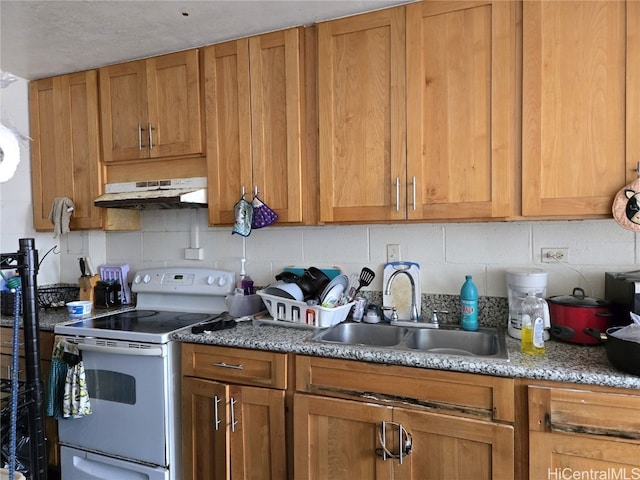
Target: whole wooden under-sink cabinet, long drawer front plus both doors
x: 443, y: 434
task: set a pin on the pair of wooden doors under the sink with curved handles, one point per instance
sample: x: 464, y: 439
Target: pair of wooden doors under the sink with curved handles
x: 343, y: 440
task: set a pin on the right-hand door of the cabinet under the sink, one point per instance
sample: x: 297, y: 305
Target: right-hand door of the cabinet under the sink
x: 448, y: 447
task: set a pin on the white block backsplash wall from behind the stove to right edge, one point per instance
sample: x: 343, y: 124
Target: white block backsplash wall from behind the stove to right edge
x: 446, y: 252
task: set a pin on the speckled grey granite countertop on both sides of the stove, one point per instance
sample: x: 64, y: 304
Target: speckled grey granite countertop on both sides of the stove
x: 562, y: 362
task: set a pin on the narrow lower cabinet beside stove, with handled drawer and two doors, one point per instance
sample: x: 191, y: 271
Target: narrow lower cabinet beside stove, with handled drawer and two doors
x: 231, y: 430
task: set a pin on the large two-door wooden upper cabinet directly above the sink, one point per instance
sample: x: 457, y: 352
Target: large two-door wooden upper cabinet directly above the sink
x: 442, y: 149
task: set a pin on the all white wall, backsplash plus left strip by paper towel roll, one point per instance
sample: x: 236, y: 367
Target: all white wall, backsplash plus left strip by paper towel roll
x: 446, y: 252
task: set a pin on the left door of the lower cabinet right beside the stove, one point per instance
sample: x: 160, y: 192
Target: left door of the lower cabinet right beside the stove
x: 205, y: 436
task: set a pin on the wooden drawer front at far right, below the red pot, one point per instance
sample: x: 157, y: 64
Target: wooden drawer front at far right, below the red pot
x: 584, y: 411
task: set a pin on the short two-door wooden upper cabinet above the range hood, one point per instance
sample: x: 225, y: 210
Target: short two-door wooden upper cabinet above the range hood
x: 151, y: 108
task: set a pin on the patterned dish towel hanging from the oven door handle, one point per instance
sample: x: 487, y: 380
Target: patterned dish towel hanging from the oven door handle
x: 68, y: 396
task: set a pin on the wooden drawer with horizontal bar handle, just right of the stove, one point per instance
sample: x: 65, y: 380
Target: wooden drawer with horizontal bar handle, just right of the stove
x: 235, y: 365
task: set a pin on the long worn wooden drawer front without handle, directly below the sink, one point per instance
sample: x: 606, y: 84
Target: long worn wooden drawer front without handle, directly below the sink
x: 462, y: 393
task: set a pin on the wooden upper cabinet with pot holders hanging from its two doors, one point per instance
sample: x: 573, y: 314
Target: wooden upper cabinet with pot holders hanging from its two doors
x: 254, y: 108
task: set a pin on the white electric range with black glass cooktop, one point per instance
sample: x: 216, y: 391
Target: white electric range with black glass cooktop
x: 133, y: 376
